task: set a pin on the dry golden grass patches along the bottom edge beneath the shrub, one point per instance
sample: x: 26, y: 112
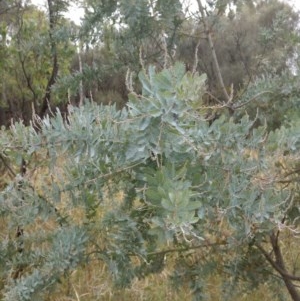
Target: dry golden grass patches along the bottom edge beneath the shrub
x: 94, y: 283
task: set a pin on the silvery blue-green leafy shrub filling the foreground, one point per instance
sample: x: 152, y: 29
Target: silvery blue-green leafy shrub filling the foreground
x: 210, y: 193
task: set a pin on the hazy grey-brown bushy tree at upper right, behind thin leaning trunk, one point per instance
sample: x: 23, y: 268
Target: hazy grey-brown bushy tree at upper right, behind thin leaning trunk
x: 249, y: 42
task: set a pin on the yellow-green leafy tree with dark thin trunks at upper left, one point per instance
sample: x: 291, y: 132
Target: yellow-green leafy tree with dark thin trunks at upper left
x: 30, y: 64
